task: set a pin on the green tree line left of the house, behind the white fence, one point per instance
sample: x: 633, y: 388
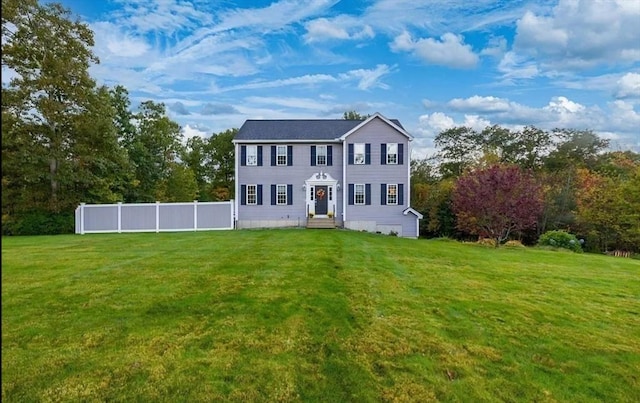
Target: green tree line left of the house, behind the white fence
x: 66, y: 140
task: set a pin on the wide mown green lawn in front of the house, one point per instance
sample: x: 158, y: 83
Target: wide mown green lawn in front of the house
x: 303, y: 315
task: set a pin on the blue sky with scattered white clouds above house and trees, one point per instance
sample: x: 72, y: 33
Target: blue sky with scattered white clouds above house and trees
x: 431, y: 64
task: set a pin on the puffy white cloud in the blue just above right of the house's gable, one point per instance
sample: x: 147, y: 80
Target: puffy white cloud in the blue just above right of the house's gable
x: 450, y: 50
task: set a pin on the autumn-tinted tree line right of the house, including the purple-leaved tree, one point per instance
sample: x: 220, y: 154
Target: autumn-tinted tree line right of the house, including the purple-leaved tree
x: 518, y: 184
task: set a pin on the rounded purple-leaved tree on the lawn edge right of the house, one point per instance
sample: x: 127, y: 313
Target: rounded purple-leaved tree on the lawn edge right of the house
x: 496, y: 201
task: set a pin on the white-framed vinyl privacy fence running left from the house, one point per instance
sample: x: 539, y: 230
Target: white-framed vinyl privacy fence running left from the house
x: 154, y: 217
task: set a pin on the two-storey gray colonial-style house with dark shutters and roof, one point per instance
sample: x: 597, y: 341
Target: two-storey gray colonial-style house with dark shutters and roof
x: 325, y: 173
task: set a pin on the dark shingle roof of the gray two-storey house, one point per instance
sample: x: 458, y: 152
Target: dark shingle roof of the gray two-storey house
x: 303, y: 129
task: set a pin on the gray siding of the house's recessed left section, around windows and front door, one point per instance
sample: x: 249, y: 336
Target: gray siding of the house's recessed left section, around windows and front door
x: 266, y: 175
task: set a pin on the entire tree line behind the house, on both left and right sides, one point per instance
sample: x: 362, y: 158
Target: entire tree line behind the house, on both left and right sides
x: 67, y: 140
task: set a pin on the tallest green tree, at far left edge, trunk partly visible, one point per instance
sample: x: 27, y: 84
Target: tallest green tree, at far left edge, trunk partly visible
x: 50, y: 56
